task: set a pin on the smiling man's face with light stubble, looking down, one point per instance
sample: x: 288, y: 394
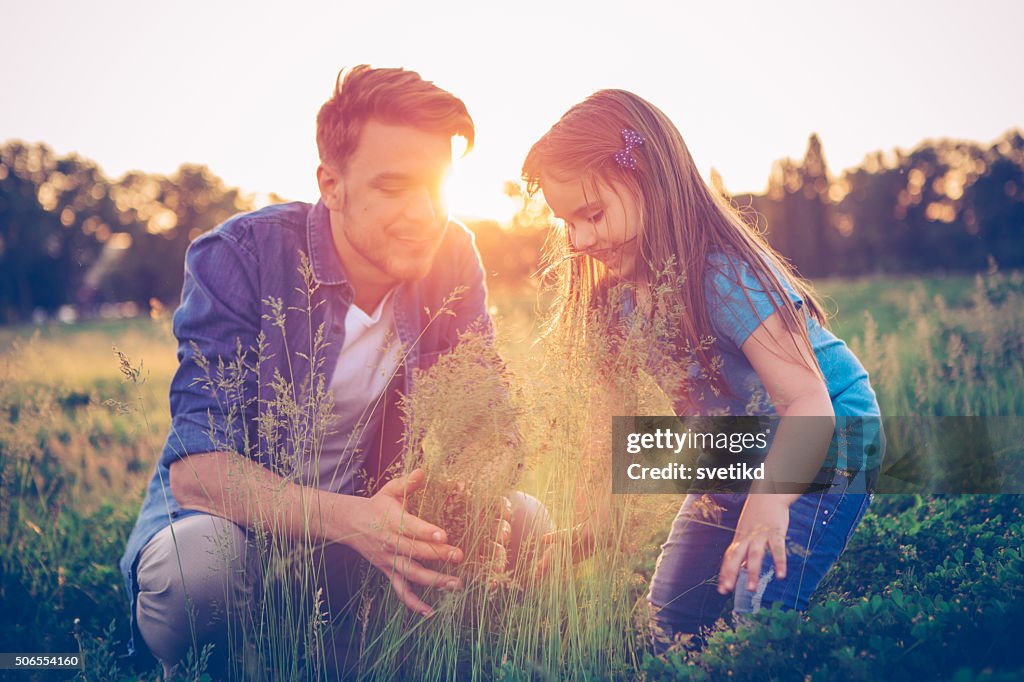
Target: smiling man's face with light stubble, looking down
x: 388, y: 211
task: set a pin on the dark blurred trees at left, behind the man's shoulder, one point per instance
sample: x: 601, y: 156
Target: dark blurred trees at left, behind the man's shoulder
x: 71, y: 236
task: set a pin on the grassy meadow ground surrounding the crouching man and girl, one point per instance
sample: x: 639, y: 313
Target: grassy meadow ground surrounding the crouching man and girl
x: 931, y: 587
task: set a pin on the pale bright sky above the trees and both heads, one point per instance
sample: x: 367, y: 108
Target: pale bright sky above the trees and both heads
x: 237, y: 87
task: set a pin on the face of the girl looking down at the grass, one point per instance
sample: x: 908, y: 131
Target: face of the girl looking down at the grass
x: 603, y: 220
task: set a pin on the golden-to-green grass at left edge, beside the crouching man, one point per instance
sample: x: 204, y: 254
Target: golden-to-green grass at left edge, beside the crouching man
x: 74, y: 460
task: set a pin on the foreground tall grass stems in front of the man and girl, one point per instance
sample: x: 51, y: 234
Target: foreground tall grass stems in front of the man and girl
x: 466, y: 428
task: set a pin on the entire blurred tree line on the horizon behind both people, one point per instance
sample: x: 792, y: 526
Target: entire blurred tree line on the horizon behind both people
x: 69, y: 235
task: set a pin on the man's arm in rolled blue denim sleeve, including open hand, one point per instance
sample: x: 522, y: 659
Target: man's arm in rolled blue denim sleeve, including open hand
x: 221, y: 314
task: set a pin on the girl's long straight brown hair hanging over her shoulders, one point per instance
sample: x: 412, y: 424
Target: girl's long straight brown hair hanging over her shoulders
x: 682, y: 222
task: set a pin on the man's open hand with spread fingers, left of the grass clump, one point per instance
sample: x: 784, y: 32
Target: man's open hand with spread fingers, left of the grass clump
x: 395, y: 541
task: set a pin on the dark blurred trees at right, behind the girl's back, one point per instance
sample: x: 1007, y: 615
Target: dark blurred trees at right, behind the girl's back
x: 946, y: 205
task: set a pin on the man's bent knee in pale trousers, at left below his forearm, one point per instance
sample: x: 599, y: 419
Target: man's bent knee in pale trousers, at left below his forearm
x: 193, y: 582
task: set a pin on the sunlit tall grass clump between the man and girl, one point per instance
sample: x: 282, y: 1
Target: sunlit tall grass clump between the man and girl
x: 570, y: 624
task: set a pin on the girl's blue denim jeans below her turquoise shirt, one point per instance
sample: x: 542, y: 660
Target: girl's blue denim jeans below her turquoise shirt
x: 685, y: 596
